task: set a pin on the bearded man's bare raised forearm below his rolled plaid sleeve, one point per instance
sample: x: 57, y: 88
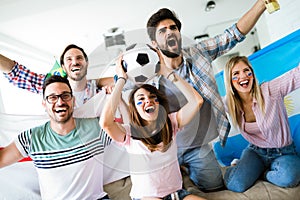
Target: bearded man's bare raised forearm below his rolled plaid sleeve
x: 249, y: 19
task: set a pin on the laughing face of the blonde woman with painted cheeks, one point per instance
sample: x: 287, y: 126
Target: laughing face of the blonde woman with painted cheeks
x: 242, y: 77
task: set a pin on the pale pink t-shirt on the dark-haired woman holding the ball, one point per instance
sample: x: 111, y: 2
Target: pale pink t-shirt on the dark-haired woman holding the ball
x: 153, y: 174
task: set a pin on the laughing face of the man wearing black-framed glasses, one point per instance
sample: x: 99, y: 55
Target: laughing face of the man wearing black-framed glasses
x: 60, y: 111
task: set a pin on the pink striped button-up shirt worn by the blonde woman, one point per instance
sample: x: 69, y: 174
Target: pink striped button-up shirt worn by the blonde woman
x: 272, y: 128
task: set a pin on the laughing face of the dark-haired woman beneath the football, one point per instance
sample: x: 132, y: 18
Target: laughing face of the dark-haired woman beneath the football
x: 146, y: 104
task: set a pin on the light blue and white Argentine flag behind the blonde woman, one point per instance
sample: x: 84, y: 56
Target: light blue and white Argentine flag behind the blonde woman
x: 268, y: 63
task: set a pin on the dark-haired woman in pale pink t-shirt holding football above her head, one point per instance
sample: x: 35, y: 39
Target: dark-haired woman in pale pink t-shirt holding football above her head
x: 150, y: 136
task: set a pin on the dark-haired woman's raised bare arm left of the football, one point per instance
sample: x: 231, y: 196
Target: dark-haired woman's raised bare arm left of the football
x: 114, y: 129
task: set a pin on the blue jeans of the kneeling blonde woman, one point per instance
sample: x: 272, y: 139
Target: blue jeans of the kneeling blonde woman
x: 280, y: 166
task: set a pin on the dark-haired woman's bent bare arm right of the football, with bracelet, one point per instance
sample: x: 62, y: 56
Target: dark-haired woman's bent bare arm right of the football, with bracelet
x: 195, y: 100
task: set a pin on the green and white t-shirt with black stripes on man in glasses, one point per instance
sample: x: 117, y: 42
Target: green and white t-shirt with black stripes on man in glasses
x: 70, y: 166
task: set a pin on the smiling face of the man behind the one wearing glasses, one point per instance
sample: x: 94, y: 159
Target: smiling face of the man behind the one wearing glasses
x: 75, y: 64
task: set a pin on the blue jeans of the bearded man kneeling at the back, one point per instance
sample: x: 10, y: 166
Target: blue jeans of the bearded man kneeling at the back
x: 203, y: 167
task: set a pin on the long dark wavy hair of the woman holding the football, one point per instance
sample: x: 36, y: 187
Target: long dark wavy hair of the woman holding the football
x: 163, y: 131
